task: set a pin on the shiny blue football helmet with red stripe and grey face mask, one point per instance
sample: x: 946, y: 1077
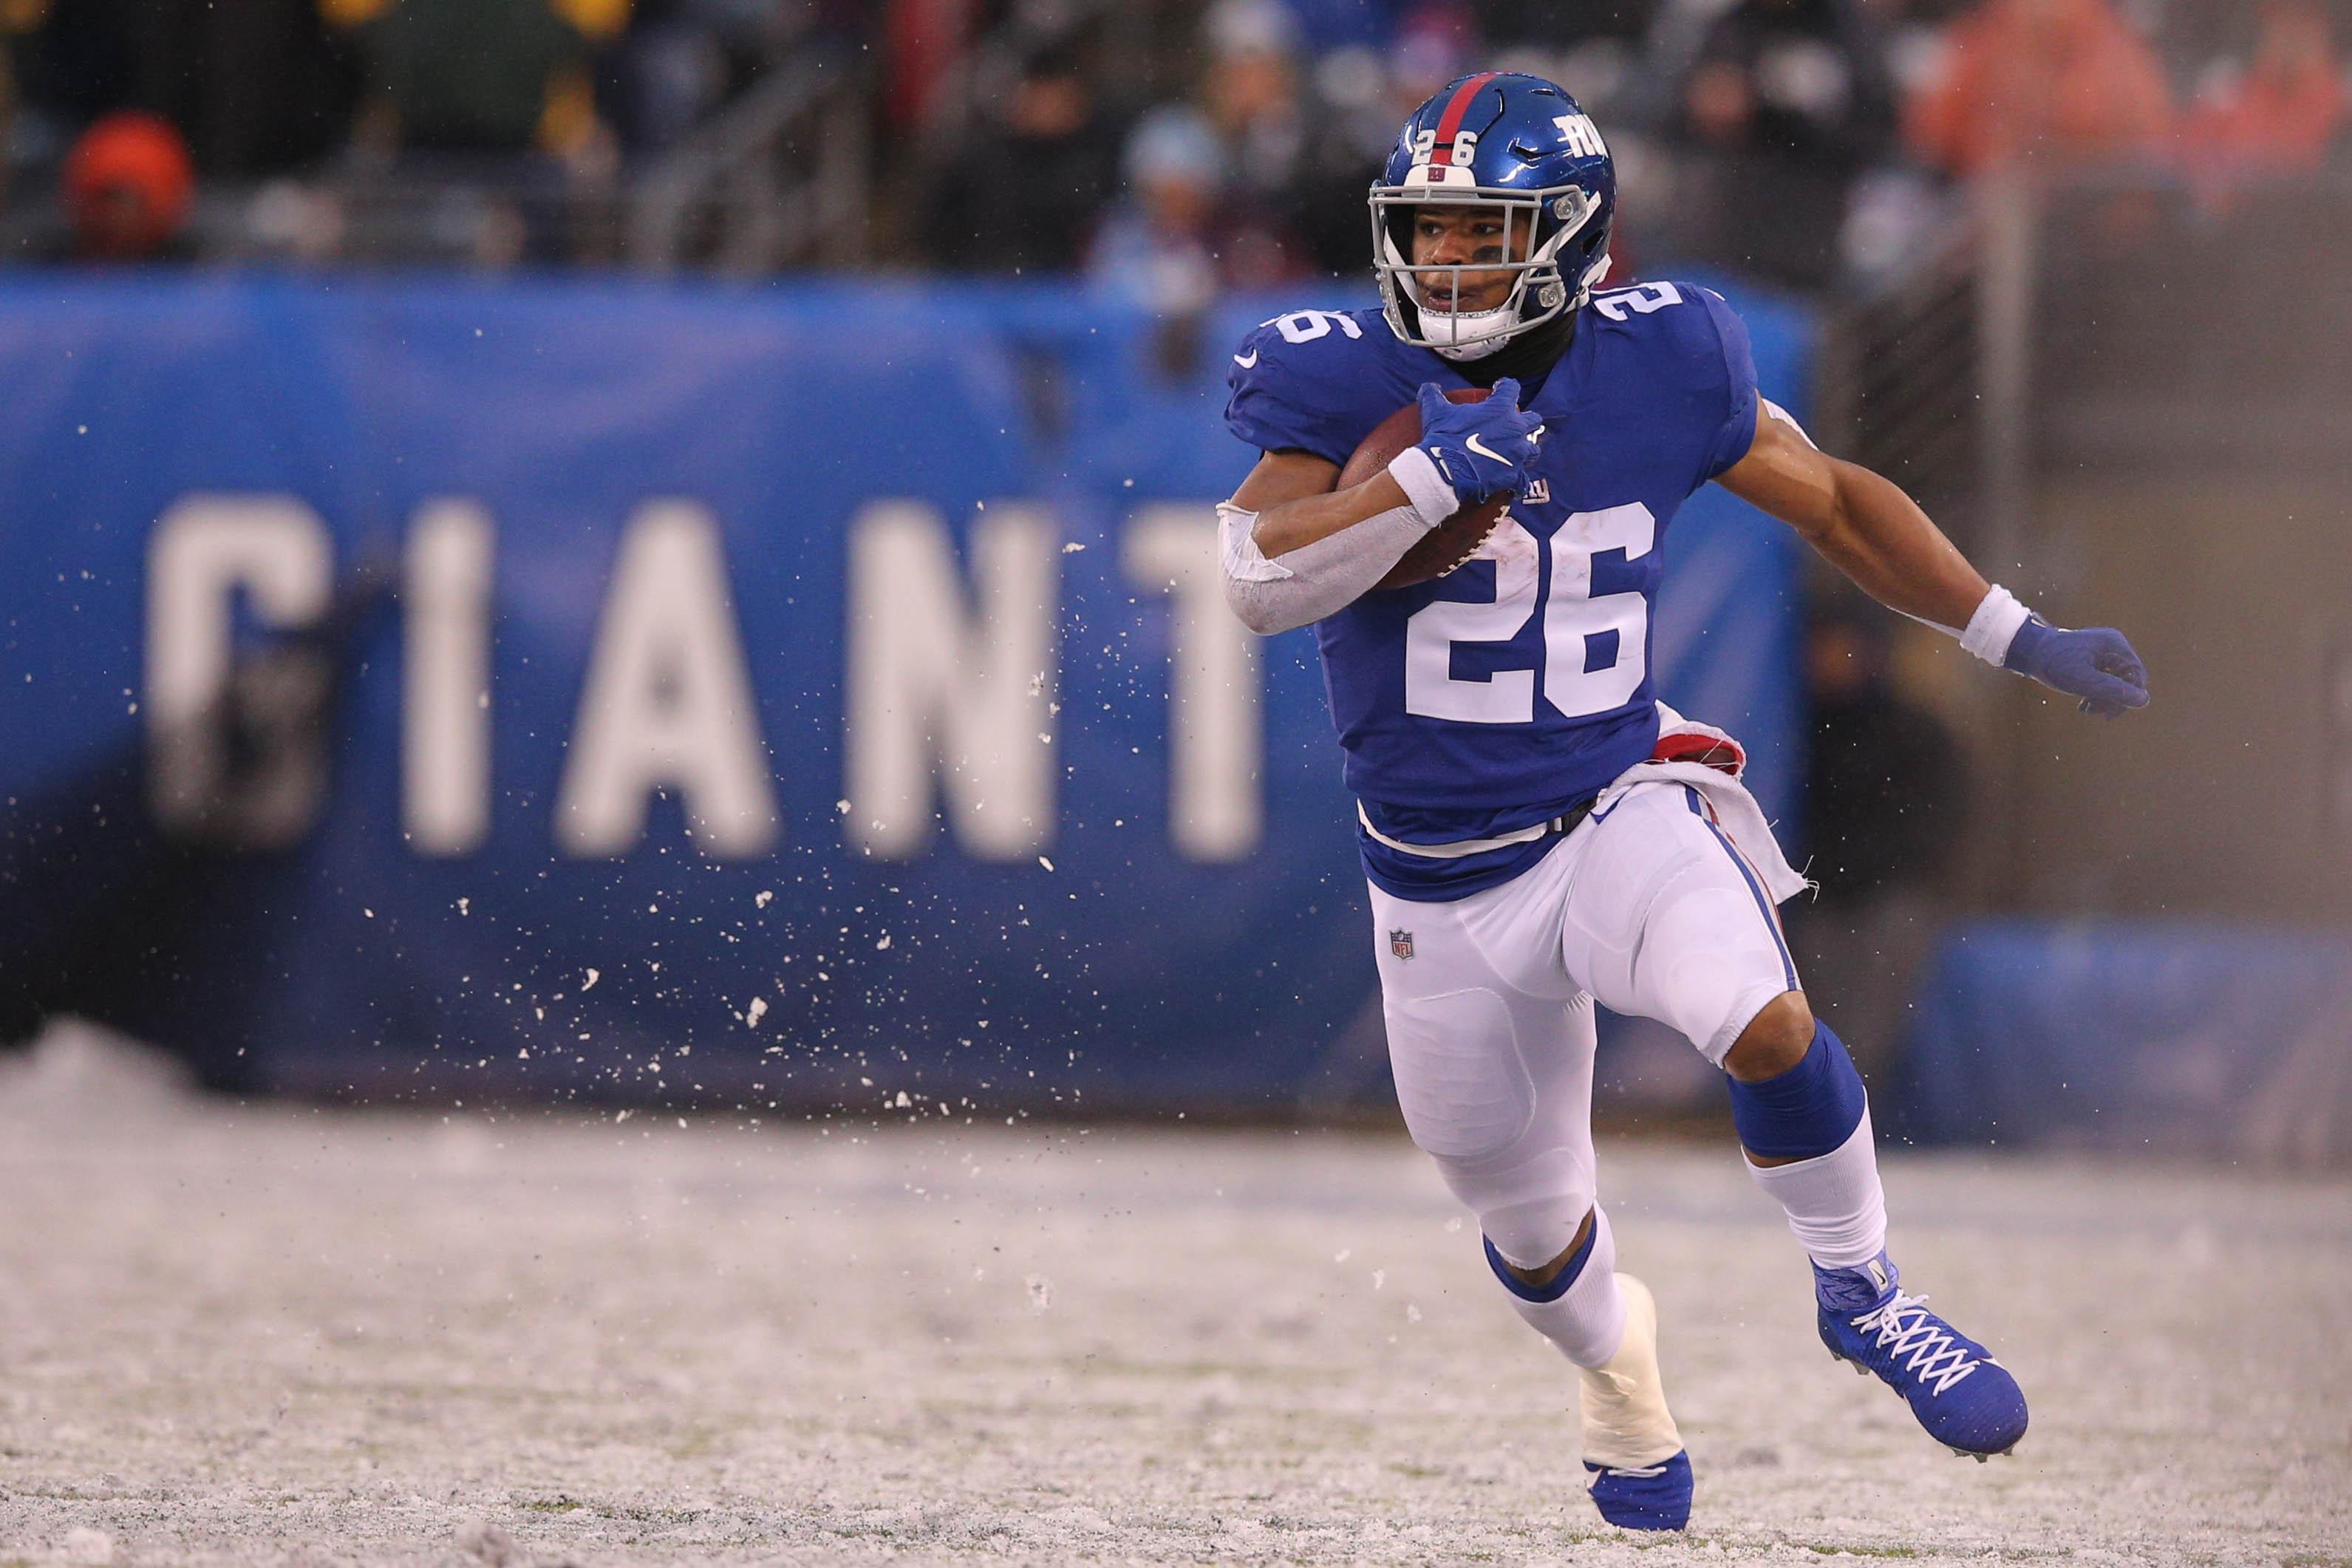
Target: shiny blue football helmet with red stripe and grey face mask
x: 1511, y: 142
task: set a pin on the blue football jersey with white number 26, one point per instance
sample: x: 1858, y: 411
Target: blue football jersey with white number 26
x: 1518, y: 685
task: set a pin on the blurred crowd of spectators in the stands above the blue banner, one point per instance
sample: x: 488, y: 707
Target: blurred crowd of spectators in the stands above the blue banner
x: 1165, y: 149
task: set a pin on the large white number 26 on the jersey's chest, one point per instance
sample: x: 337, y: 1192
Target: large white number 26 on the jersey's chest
x: 1593, y: 648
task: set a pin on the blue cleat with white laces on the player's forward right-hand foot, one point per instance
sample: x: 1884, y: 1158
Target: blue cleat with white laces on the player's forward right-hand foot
x: 1956, y: 1388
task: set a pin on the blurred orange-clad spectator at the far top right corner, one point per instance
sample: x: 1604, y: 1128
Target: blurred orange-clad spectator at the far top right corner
x: 2276, y: 116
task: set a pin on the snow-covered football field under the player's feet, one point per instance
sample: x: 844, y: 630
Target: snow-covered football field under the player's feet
x: 309, y: 1336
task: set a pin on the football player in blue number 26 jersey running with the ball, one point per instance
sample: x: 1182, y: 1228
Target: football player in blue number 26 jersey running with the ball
x: 1537, y: 829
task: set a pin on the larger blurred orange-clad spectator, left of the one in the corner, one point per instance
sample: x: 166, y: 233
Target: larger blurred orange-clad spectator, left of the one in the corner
x: 2043, y: 83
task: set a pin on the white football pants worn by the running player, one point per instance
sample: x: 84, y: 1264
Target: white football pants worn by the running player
x: 1490, y: 1000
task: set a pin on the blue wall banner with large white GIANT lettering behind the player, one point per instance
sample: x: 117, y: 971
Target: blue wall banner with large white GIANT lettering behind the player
x: 782, y: 695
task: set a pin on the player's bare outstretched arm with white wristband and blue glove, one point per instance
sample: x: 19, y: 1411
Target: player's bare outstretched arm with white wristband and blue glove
x: 1876, y: 535
